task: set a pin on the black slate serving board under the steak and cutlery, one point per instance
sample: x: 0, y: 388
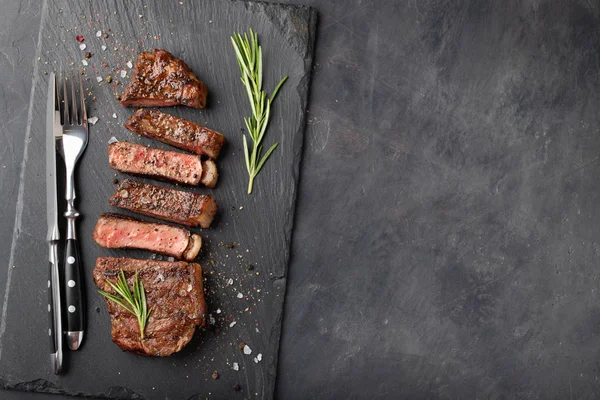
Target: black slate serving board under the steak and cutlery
x: 260, y: 224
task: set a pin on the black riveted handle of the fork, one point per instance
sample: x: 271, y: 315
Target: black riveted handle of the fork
x: 74, y: 295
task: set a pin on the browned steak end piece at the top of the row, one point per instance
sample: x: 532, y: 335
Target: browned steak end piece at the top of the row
x: 161, y: 80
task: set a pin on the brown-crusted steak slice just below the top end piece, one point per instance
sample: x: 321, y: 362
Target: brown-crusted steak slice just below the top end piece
x: 176, y: 132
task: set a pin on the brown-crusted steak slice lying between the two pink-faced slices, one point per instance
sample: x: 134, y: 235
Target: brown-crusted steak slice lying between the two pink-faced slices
x: 186, y: 208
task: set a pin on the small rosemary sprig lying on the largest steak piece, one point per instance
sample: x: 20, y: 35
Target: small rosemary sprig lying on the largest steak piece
x: 134, y: 302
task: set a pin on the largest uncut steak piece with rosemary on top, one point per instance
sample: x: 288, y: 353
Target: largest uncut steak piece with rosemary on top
x: 175, y: 294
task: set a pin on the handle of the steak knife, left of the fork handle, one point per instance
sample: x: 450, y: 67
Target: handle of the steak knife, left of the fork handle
x: 54, y: 311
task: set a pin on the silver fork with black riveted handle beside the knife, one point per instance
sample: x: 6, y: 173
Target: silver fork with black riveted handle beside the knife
x: 71, y: 144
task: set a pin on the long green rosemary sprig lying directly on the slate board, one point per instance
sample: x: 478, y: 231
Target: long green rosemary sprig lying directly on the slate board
x: 249, y: 56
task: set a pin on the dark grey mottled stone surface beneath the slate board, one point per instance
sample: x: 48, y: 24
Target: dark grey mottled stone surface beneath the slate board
x: 447, y: 229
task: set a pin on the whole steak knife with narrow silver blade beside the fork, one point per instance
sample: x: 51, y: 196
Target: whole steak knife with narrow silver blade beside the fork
x: 54, y: 307
